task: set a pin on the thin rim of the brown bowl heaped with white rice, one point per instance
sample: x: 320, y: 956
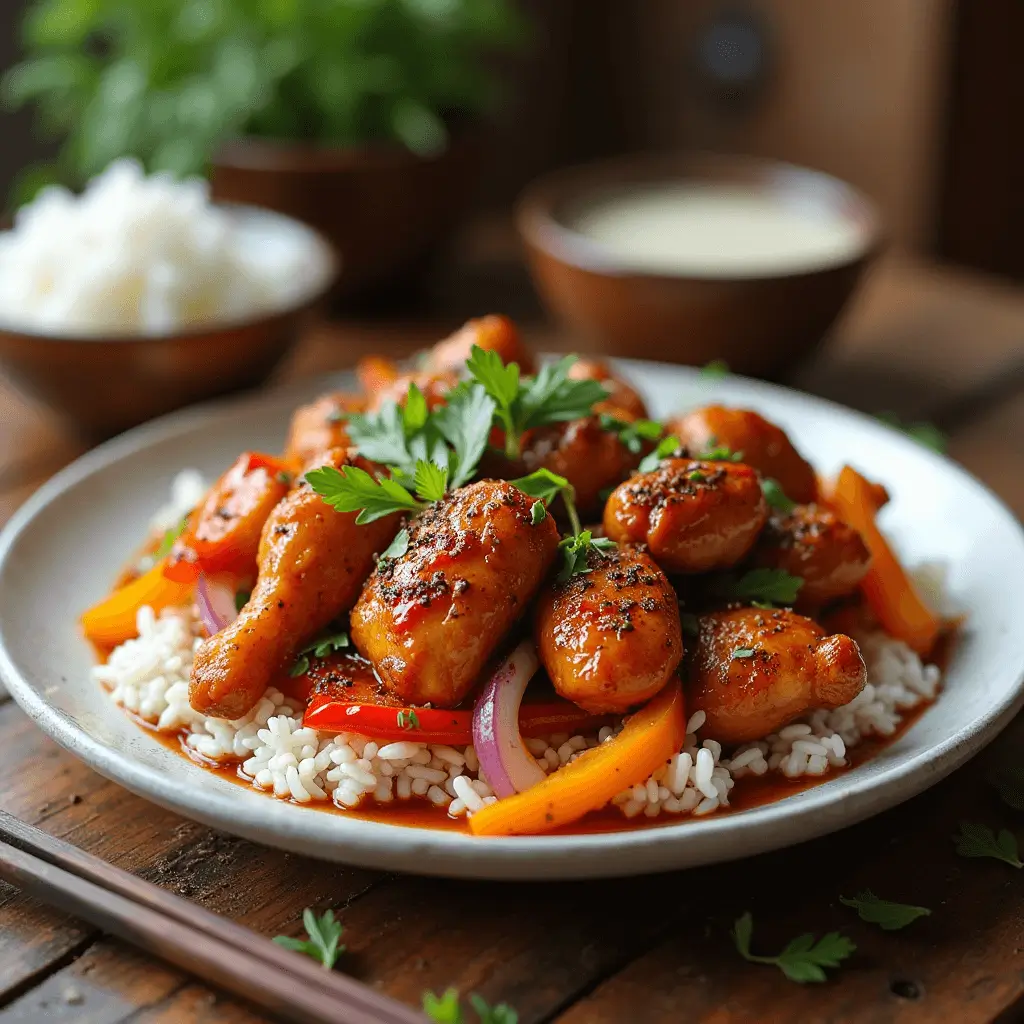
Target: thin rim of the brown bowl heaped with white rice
x: 308, y: 301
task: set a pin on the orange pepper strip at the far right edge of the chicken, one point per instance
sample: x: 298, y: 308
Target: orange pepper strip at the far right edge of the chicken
x: 888, y: 590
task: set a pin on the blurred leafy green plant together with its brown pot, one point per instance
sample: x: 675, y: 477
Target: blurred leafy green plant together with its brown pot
x: 356, y: 116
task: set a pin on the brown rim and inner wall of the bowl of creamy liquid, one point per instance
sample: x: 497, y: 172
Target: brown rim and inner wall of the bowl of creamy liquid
x: 540, y: 227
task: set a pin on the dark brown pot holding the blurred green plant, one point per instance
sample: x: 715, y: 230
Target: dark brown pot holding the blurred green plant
x: 385, y: 209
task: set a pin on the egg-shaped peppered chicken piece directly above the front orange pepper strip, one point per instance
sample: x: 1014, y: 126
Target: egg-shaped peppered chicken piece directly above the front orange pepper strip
x: 611, y: 638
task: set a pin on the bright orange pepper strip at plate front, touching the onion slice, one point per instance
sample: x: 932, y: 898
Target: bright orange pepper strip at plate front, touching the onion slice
x: 649, y: 740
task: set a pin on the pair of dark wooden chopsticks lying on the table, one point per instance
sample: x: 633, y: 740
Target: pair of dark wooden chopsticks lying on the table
x: 219, y: 951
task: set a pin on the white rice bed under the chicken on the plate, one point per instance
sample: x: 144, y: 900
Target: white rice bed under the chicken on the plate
x: 149, y: 676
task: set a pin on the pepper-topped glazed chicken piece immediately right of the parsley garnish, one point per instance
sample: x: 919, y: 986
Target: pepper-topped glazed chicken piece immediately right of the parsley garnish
x: 694, y: 517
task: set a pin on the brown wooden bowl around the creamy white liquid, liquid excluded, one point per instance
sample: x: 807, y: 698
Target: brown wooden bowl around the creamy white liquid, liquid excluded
x: 760, y: 325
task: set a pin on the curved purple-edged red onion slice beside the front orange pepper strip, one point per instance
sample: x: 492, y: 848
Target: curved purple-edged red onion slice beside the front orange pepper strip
x: 505, y: 760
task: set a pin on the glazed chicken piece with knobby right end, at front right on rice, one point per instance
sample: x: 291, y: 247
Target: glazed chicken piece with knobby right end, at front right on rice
x: 753, y: 672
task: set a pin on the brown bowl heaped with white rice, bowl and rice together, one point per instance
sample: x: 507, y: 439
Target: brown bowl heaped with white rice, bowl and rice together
x: 141, y: 295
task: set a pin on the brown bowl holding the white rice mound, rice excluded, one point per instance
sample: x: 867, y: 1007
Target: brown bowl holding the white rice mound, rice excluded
x: 103, y: 386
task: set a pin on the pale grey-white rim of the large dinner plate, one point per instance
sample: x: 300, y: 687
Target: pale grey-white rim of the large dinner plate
x: 364, y: 843
